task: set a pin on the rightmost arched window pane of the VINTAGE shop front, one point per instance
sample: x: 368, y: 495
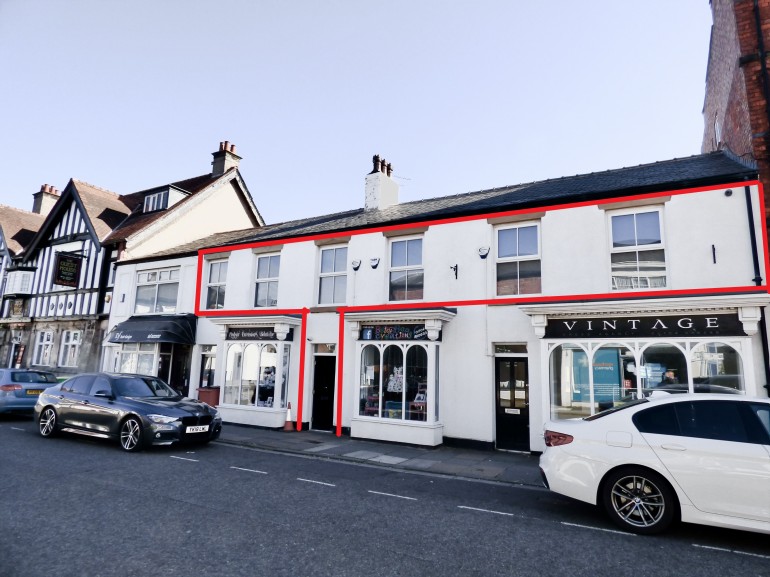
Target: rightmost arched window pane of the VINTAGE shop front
x: 716, y: 367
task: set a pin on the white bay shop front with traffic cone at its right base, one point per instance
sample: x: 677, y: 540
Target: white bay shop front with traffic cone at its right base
x: 256, y: 365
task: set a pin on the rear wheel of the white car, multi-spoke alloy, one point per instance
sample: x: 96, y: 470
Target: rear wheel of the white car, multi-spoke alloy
x: 639, y: 500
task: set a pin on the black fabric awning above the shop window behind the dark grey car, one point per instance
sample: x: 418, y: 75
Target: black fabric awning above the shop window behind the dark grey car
x: 155, y: 329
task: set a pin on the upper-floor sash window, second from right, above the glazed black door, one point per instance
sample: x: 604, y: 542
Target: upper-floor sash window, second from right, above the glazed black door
x: 518, y: 260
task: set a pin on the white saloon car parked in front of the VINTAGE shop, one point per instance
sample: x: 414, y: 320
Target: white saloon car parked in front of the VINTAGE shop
x: 698, y: 458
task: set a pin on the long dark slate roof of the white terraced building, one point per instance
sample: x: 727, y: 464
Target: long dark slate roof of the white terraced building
x: 676, y: 174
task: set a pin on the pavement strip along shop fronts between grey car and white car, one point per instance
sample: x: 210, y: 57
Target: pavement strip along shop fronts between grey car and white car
x: 478, y: 464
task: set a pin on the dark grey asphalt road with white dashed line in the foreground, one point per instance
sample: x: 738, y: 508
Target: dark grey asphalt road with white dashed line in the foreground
x: 78, y: 507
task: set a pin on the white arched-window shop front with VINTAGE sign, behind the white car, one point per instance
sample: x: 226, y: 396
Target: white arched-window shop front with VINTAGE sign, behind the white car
x: 594, y: 359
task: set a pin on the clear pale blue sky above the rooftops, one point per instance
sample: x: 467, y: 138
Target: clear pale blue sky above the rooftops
x: 458, y: 95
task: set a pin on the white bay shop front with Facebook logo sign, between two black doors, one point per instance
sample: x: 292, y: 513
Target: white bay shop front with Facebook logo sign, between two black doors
x: 397, y: 390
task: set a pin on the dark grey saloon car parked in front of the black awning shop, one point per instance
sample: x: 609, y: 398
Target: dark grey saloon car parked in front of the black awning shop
x: 136, y: 410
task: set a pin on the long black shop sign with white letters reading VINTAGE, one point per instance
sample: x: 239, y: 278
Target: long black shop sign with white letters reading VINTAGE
x: 647, y: 326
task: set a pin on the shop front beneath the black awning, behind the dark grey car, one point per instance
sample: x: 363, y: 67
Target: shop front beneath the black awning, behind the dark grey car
x: 158, y: 345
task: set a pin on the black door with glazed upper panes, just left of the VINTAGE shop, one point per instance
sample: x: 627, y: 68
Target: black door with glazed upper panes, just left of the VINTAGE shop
x: 512, y: 404
